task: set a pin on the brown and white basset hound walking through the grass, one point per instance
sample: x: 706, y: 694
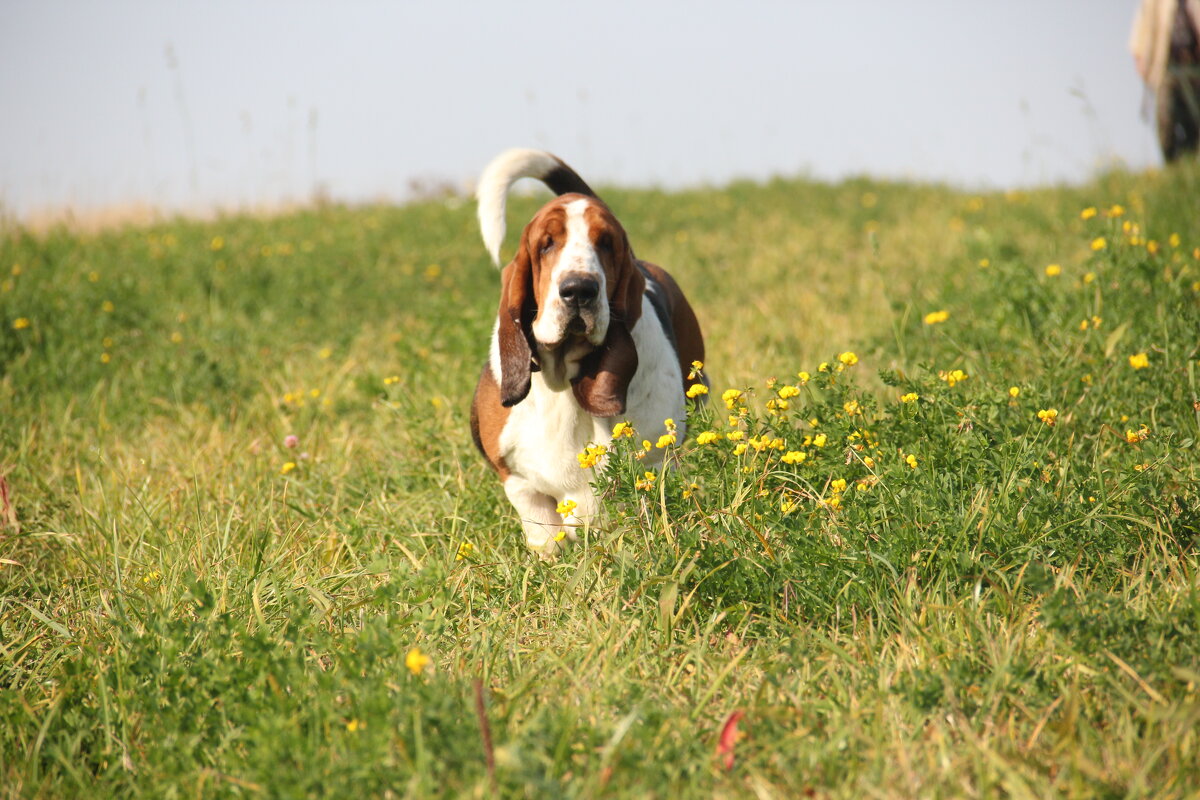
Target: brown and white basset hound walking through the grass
x: 587, y: 336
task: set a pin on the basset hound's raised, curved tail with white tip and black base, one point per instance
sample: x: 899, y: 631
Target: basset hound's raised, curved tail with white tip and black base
x: 507, y: 170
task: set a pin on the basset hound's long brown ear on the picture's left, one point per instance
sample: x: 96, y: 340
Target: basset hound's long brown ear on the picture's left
x: 515, y: 334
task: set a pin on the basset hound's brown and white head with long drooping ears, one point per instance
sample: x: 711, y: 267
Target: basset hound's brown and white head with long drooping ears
x: 571, y: 298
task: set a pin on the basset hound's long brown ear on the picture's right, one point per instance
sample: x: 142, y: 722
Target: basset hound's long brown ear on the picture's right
x: 607, y: 372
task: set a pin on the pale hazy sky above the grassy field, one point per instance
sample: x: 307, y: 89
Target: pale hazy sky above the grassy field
x: 189, y: 106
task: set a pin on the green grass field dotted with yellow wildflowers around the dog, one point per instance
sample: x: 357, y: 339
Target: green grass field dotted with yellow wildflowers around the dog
x: 957, y: 561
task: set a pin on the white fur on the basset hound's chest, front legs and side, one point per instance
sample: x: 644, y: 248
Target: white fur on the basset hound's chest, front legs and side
x: 548, y: 430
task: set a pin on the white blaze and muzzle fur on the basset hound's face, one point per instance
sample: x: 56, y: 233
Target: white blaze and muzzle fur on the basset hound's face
x: 577, y: 255
